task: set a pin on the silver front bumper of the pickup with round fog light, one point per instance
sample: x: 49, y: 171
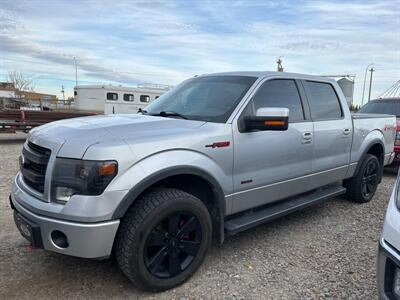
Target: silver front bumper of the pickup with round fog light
x: 87, y: 240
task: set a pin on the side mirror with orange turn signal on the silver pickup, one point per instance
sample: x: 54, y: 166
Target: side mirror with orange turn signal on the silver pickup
x: 273, y: 118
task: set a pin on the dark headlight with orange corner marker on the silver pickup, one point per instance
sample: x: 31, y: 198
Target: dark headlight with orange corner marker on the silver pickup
x: 83, y: 177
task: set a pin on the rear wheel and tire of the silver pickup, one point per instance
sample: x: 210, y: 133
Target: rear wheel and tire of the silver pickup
x: 362, y: 187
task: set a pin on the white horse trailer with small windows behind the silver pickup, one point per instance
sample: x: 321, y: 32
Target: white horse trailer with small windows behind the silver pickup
x: 110, y: 99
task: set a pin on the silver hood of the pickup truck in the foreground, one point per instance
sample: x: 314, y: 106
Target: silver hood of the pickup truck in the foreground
x: 74, y: 136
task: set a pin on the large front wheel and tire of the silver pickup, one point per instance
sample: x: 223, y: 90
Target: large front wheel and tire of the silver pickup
x: 163, y: 239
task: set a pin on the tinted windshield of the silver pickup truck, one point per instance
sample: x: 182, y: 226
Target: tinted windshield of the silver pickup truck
x: 208, y: 98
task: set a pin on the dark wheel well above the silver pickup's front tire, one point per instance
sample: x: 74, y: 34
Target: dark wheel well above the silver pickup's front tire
x: 203, y: 190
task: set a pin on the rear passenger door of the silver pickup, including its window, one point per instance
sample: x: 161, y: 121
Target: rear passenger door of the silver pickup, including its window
x: 332, y: 133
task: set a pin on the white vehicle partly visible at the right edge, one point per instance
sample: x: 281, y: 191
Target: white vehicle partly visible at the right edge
x: 388, y: 268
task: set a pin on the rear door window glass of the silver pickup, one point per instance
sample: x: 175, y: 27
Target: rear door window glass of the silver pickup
x: 323, y: 100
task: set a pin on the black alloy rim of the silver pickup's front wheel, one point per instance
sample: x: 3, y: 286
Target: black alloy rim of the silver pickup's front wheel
x: 173, y: 244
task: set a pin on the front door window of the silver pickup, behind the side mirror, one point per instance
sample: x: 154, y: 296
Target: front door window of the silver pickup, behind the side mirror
x: 280, y: 93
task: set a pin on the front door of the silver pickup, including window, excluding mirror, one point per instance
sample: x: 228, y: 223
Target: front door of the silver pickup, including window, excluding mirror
x: 272, y: 165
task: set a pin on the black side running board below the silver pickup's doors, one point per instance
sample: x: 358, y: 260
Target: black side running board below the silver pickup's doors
x: 256, y: 217
